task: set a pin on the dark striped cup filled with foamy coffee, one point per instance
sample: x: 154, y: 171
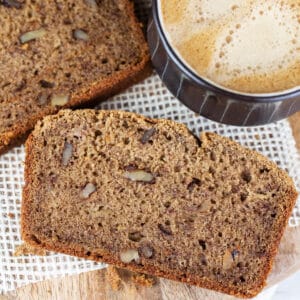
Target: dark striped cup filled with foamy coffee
x: 235, y: 88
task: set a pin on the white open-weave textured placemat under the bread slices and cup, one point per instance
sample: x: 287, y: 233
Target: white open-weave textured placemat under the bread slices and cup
x: 150, y: 98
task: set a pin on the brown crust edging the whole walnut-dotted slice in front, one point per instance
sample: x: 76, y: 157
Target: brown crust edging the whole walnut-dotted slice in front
x: 208, y: 141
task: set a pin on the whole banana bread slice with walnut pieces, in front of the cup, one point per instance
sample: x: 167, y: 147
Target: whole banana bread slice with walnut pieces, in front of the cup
x: 147, y: 195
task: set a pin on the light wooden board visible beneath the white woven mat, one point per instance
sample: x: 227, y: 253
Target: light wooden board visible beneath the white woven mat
x: 94, y: 285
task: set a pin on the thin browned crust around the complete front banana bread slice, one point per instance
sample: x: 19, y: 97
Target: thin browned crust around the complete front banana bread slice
x: 105, y: 256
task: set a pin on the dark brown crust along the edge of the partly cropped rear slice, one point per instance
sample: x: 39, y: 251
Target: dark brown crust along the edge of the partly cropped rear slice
x: 112, y: 85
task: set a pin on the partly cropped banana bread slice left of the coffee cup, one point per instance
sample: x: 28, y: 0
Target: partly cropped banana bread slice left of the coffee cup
x: 64, y: 53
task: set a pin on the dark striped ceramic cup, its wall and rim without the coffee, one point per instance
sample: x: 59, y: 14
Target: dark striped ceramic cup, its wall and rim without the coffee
x: 207, y: 99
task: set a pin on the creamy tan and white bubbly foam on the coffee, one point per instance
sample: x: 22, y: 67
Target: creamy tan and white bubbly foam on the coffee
x: 246, y: 46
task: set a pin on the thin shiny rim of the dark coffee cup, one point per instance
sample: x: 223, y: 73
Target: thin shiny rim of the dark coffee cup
x: 268, y: 97
